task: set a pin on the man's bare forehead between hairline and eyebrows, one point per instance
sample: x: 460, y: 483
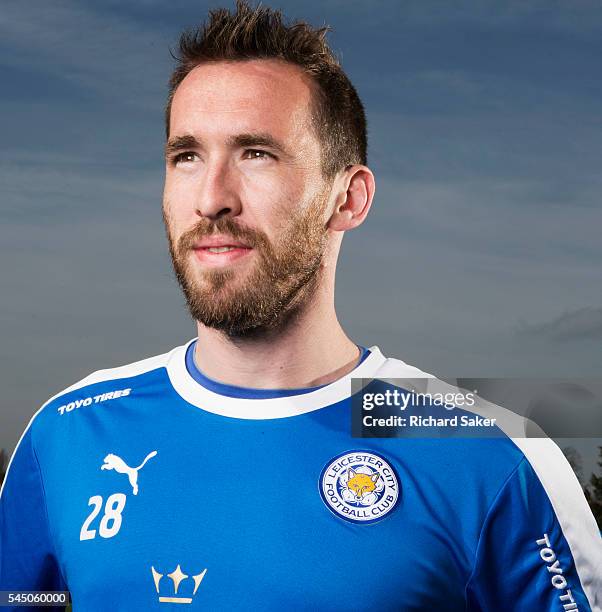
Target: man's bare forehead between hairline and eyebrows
x: 255, y: 95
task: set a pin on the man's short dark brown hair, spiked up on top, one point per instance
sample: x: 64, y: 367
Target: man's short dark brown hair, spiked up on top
x: 337, y: 112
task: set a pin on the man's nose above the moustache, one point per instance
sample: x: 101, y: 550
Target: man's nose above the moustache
x: 217, y: 194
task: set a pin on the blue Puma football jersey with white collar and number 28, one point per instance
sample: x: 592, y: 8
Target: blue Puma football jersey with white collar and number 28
x: 150, y: 487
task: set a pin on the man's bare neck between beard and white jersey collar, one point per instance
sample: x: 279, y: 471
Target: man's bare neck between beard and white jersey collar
x: 310, y: 349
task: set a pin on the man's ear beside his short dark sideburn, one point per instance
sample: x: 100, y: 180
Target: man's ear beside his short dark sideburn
x: 354, y: 191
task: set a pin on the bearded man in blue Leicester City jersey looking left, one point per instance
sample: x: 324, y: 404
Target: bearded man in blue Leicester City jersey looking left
x: 222, y: 474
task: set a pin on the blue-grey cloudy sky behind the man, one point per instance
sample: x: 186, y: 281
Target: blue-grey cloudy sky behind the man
x: 480, y: 256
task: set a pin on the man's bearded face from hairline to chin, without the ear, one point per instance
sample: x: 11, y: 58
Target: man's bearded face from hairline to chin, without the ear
x: 245, y: 201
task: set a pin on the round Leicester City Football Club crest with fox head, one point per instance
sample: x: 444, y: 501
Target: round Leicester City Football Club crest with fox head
x: 359, y: 486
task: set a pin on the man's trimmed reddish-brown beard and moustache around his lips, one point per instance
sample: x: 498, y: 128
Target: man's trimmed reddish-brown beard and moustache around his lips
x: 243, y: 303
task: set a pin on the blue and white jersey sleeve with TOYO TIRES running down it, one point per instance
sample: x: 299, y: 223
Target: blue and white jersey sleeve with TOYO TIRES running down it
x: 539, y: 547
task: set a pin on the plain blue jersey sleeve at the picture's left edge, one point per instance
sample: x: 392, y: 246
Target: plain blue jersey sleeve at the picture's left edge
x: 27, y: 557
